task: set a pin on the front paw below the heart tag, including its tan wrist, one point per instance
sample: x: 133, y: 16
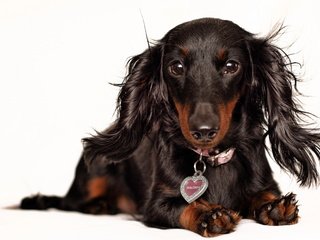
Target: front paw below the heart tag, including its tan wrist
x: 209, y: 220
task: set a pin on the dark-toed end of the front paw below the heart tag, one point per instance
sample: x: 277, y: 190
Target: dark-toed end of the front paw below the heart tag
x: 217, y: 221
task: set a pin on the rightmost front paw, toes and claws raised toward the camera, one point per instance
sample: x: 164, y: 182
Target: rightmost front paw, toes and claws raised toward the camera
x: 282, y: 211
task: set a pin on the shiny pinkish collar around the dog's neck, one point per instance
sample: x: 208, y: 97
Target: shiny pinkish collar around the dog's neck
x: 218, y: 159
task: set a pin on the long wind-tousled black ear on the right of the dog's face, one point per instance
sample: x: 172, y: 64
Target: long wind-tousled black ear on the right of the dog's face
x: 295, y: 147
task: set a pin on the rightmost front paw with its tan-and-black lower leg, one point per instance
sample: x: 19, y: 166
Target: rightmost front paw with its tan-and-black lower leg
x: 269, y: 209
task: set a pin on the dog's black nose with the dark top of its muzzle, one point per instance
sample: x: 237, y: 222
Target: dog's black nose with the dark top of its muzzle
x: 203, y: 122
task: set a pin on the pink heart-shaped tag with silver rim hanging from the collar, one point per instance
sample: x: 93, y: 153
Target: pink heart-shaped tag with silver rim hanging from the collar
x: 193, y: 187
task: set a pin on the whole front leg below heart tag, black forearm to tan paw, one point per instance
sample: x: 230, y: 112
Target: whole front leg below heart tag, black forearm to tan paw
x: 200, y: 217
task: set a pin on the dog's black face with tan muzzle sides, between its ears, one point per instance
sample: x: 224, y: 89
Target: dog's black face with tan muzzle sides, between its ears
x: 204, y: 63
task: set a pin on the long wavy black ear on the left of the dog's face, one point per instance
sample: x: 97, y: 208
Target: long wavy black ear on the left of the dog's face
x: 139, y: 100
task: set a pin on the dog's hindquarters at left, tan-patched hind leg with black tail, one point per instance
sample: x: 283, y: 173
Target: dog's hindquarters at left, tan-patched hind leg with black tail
x: 97, y: 193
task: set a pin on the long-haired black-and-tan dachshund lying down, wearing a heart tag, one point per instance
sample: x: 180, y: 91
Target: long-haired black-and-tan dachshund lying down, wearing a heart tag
x: 196, y: 112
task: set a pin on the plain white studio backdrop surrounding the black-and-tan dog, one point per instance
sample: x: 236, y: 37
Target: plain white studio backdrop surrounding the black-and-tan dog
x: 57, y: 58
